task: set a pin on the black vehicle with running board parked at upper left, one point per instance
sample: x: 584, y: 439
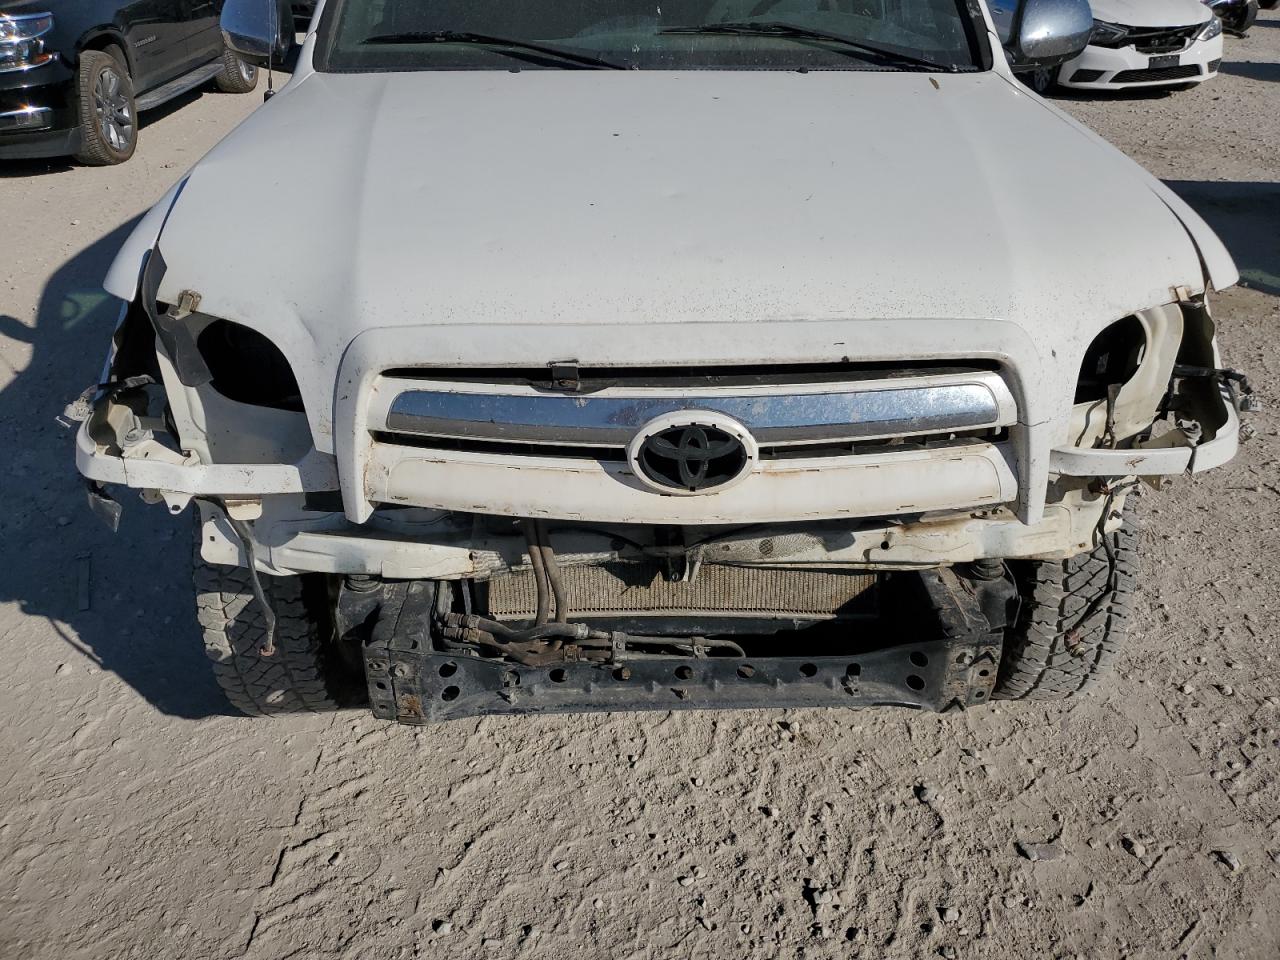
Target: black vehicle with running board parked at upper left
x: 75, y: 74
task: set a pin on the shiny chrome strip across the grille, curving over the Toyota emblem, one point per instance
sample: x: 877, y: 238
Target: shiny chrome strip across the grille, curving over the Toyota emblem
x: 772, y: 419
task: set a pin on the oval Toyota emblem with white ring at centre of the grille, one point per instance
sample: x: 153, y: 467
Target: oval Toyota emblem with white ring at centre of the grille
x: 692, y: 452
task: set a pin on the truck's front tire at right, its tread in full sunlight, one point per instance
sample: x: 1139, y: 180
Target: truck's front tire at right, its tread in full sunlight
x: 1072, y: 621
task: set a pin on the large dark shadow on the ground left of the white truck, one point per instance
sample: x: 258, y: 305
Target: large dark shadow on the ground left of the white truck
x: 122, y: 601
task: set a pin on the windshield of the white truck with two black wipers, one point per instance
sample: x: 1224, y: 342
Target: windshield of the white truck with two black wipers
x: 655, y: 35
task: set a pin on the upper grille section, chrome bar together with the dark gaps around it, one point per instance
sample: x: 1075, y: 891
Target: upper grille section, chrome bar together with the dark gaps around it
x: 456, y: 410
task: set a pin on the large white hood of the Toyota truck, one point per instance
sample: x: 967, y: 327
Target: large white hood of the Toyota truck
x: 502, y: 208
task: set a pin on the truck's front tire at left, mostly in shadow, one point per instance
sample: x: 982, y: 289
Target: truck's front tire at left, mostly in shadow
x: 307, y: 673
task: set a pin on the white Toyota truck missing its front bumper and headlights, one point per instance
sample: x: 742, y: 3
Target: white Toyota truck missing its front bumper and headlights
x: 620, y: 355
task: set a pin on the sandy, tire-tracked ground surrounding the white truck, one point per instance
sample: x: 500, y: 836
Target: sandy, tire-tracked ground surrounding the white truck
x: 140, y: 820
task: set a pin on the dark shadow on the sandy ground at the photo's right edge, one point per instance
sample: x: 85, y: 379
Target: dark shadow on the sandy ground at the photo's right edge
x: 1245, y: 216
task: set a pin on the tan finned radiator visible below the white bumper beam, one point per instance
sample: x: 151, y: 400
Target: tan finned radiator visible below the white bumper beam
x: 623, y: 588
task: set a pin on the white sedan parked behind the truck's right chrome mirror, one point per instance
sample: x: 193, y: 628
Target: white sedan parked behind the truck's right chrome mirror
x: 1155, y: 44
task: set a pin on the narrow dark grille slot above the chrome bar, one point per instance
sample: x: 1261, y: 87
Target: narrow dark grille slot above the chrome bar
x: 598, y: 378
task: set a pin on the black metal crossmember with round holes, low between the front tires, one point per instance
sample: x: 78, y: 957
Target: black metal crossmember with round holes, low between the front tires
x: 413, y: 682
